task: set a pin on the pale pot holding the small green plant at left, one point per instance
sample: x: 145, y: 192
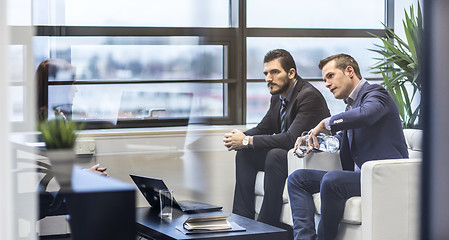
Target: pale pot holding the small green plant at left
x: 62, y: 161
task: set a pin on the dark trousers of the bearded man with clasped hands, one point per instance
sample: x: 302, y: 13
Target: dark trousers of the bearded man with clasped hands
x: 274, y: 163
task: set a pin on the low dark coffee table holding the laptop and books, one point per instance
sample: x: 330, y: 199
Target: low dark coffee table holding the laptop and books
x: 149, y: 225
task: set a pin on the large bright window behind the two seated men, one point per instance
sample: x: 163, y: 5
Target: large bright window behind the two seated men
x: 310, y: 31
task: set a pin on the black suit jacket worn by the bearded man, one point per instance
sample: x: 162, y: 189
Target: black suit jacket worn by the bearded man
x: 305, y: 110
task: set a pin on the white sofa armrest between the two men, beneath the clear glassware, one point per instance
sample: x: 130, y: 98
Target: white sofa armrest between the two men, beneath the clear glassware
x: 314, y: 160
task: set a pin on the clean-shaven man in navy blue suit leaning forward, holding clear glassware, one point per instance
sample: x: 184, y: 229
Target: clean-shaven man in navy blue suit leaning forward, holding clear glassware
x: 370, y: 129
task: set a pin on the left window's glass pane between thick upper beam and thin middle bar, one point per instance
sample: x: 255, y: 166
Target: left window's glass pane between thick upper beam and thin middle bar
x: 146, y: 58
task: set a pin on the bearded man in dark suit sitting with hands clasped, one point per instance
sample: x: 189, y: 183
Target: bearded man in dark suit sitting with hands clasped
x: 295, y: 106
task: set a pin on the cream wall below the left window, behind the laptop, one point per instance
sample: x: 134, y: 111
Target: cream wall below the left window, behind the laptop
x: 193, y: 162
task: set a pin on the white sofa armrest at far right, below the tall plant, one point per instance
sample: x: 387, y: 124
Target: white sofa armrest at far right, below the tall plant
x: 390, y: 199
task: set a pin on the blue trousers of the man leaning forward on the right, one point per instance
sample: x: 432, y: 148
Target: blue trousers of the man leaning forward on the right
x: 335, y: 188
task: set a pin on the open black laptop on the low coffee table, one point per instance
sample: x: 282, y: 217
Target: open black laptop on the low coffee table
x: 150, y: 187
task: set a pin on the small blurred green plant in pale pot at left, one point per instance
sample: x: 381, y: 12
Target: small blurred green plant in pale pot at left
x: 60, y: 137
